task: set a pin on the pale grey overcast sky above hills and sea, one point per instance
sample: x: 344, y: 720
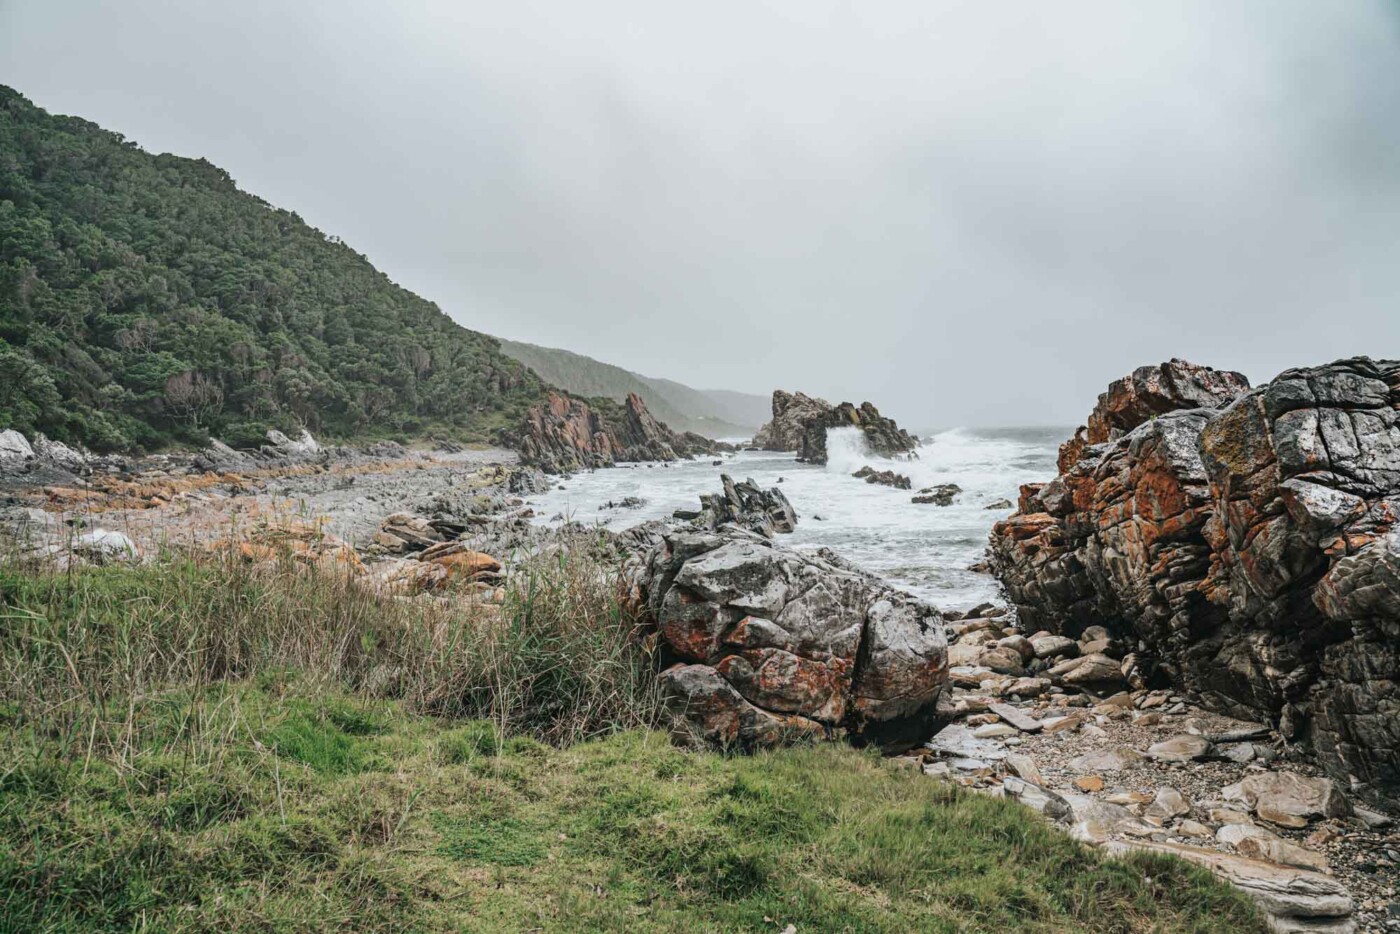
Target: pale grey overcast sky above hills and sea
x: 969, y: 214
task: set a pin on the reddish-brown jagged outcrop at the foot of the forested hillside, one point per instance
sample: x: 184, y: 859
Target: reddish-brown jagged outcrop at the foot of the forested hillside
x: 565, y: 433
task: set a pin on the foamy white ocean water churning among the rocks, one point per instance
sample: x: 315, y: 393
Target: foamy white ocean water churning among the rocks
x: 925, y: 550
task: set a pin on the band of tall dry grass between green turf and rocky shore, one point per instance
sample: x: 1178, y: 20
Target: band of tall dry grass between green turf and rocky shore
x: 82, y: 649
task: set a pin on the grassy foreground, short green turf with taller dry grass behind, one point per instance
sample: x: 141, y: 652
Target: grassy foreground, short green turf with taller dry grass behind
x: 290, y: 796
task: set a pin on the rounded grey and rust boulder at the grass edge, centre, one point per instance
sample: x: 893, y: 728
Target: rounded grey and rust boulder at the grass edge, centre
x: 764, y: 643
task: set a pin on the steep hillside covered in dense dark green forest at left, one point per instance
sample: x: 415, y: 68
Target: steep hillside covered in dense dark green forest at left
x: 148, y: 300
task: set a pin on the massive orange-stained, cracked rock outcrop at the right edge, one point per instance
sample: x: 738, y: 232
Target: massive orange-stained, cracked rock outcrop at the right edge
x: 1249, y: 548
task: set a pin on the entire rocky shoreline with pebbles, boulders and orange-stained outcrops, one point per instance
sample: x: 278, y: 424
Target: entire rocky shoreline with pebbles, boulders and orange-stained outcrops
x: 1095, y: 698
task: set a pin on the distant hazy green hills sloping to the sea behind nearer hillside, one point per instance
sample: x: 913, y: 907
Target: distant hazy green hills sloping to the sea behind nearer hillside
x: 712, y: 414
